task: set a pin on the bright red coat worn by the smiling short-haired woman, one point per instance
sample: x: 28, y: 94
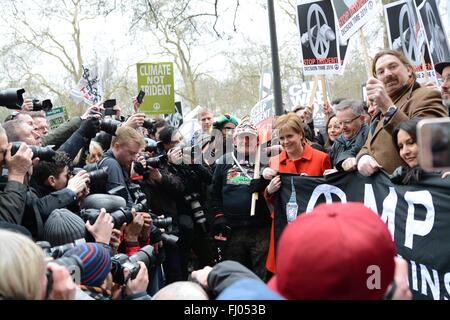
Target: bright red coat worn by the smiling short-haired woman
x: 313, y: 163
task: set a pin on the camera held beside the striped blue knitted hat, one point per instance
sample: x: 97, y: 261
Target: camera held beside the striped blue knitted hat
x: 121, y: 261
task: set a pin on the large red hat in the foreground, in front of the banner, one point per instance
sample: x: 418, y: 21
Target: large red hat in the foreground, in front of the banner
x: 335, y: 252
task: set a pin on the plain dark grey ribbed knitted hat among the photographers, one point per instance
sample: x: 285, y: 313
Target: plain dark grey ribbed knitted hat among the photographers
x: 63, y: 226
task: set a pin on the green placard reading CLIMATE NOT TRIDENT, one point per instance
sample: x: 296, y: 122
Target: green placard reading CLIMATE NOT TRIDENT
x: 156, y: 79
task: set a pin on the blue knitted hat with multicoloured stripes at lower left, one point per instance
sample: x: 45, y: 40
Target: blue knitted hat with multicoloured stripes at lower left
x: 96, y: 262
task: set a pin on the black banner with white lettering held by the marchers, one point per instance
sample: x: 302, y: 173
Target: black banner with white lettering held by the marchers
x: 418, y: 217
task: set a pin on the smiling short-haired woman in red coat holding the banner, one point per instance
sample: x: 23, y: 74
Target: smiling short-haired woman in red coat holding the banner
x: 297, y: 157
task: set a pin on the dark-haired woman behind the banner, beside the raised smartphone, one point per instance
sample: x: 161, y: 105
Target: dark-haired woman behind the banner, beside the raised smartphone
x: 405, y: 140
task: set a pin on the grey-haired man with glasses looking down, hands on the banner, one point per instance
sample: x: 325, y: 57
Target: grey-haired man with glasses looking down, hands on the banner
x: 350, y: 116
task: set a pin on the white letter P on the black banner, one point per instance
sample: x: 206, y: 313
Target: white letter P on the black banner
x: 417, y: 227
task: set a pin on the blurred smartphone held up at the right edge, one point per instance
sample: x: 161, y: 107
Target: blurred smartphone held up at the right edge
x: 433, y: 139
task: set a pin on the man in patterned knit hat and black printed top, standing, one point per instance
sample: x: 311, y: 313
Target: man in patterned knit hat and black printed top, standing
x: 233, y: 187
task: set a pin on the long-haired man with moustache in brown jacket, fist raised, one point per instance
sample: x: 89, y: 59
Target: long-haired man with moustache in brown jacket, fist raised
x: 397, y: 97
